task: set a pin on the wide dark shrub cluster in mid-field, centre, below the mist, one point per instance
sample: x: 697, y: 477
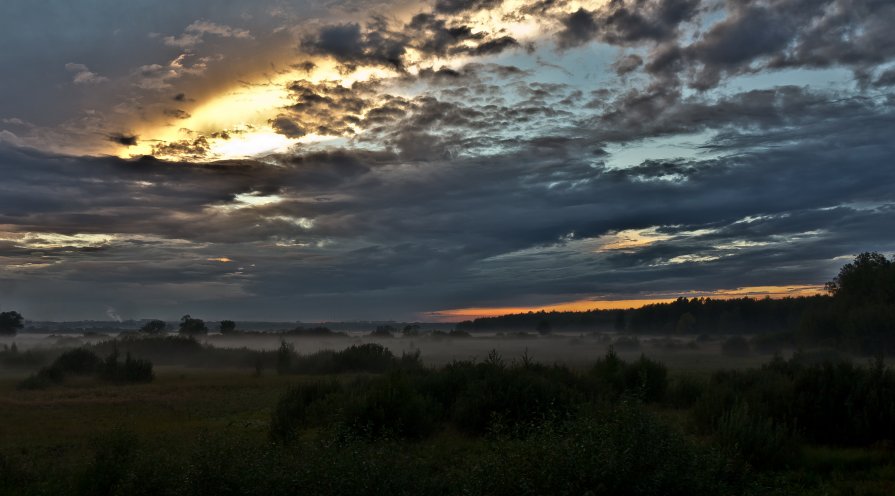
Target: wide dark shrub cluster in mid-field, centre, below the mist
x: 476, y: 398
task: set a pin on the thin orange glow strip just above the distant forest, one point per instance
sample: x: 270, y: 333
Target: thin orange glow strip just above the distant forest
x: 757, y: 292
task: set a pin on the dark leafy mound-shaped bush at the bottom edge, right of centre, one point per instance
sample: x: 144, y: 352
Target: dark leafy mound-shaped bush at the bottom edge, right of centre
x: 619, y: 451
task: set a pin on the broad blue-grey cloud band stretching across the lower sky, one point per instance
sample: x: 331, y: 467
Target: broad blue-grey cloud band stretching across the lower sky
x: 409, y: 230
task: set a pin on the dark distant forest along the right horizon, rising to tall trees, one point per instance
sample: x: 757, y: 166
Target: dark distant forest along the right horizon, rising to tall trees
x: 858, y: 312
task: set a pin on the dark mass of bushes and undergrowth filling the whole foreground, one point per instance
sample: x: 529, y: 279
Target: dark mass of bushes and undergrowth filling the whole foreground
x: 380, y: 424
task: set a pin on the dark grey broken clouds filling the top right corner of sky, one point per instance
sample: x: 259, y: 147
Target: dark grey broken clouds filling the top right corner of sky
x: 749, y: 37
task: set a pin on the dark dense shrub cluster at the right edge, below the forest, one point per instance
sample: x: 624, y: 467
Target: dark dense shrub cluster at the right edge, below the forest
x: 835, y: 403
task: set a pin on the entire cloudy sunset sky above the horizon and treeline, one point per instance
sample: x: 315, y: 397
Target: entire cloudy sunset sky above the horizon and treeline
x: 370, y: 160
